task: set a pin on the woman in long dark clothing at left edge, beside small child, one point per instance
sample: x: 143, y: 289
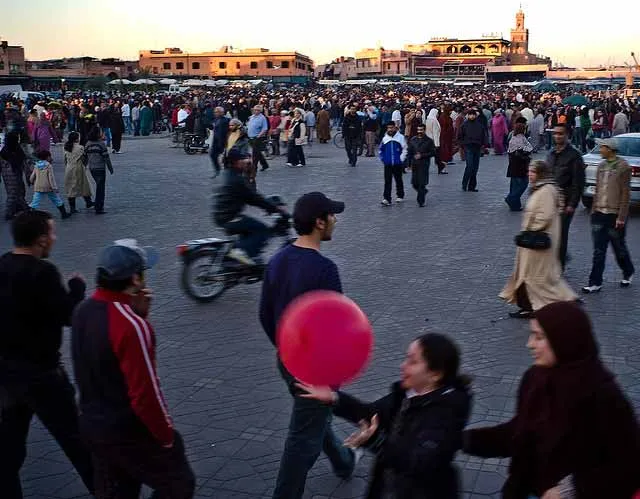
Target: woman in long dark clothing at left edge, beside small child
x: 13, y: 168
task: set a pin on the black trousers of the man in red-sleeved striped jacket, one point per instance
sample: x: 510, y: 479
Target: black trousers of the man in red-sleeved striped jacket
x: 123, y: 463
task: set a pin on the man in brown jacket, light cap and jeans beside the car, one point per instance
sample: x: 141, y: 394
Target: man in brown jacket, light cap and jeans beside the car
x: 609, y: 215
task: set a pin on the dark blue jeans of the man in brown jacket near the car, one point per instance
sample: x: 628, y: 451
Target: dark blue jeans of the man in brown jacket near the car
x: 603, y: 232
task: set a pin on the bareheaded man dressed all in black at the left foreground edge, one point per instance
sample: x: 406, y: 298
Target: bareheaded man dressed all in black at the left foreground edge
x: 34, y: 306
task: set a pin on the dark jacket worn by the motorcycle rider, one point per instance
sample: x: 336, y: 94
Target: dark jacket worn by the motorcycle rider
x: 233, y: 195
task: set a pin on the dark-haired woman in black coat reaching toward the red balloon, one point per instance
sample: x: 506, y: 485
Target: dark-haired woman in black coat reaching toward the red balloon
x: 414, y: 431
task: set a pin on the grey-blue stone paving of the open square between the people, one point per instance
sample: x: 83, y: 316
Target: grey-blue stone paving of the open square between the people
x: 412, y: 270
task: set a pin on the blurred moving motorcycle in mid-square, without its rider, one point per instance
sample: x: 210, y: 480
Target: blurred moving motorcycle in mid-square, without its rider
x: 208, y: 271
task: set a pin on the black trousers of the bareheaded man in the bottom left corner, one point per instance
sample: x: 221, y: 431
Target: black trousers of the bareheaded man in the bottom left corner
x: 26, y: 391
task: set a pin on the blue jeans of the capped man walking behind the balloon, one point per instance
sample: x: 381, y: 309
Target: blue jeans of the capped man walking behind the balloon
x: 309, y: 433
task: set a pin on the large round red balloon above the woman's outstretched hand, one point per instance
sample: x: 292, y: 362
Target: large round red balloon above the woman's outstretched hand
x: 324, y: 338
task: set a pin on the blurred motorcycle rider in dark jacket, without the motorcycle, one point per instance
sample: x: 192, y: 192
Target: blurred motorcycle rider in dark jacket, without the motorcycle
x: 229, y: 202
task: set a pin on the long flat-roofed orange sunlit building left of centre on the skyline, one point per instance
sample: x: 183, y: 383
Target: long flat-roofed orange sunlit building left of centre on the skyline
x: 250, y: 63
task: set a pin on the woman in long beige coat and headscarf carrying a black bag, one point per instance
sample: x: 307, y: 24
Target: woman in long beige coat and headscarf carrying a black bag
x: 537, y: 279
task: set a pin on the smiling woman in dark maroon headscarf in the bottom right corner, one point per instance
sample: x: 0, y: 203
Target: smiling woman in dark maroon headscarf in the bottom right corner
x: 574, y: 434
